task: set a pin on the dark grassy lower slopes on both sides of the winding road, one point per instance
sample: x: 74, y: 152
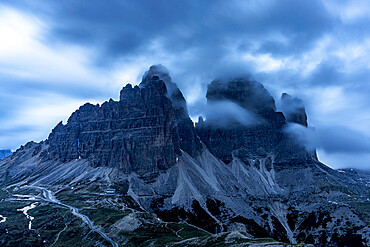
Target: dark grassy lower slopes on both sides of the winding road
x: 56, y: 225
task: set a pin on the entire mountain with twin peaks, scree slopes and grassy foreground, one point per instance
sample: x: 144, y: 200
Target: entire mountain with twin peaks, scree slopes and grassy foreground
x: 139, y: 172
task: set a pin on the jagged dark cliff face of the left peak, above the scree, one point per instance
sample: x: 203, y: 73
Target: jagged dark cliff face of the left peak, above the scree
x: 137, y: 134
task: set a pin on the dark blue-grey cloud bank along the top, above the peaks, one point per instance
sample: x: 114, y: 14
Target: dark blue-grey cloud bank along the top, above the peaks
x: 115, y: 28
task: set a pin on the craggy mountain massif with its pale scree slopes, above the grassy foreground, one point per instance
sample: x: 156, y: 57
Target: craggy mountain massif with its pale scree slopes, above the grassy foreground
x: 236, y: 170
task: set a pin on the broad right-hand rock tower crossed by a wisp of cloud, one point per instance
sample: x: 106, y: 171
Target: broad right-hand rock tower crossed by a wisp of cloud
x: 262, y: 136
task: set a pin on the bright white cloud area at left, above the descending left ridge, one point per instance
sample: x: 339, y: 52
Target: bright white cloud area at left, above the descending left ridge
x: 41, y: 84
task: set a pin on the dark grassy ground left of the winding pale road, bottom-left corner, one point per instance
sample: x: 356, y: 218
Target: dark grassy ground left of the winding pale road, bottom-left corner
x: 50, y: 220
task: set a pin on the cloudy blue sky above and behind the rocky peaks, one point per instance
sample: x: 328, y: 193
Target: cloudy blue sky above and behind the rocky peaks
x: 57, y: 55
